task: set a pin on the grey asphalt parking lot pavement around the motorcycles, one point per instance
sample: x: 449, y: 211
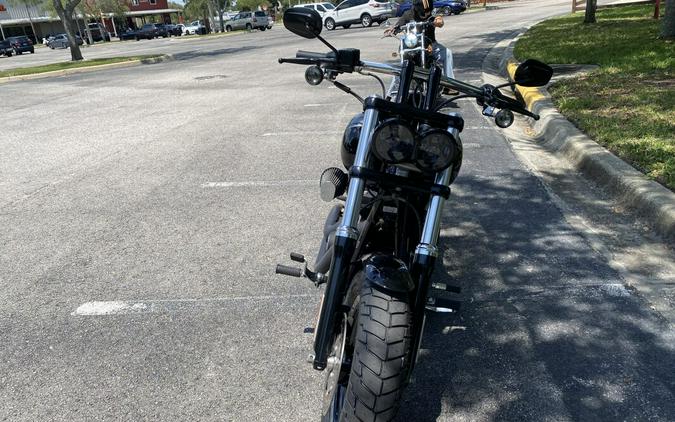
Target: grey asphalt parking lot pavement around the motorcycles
x: 143, y: 210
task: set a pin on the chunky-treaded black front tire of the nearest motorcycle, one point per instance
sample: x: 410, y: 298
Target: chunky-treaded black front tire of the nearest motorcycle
x: 380, y: 361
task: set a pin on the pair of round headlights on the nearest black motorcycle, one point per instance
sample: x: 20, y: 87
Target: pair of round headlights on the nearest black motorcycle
x: 395, y: 142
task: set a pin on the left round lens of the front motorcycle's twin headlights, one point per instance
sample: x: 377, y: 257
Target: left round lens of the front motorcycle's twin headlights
x: 394, y: 141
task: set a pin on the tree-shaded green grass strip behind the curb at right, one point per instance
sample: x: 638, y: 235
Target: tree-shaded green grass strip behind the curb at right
x: 628, y: 103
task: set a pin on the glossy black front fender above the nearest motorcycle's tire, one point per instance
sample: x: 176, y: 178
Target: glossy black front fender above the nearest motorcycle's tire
x: 388, y: 272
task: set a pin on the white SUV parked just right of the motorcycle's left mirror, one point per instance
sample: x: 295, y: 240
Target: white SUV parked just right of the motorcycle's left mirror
x: 364, y: 12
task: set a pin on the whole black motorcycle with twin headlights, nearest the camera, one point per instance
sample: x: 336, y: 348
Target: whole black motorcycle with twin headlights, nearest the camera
x: 380, y: 243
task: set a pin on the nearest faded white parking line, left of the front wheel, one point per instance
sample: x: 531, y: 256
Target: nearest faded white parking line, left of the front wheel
x: 118, y: 307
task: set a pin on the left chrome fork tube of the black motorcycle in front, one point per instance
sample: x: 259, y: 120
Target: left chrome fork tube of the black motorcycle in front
x: 349, y: 225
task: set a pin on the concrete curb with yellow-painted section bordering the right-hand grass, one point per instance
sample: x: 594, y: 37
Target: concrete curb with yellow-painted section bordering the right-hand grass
x: 555, y: 133
